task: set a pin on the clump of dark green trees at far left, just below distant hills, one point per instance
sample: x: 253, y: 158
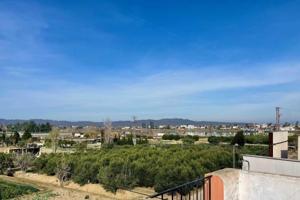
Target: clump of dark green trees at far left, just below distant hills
x: 30, y: 126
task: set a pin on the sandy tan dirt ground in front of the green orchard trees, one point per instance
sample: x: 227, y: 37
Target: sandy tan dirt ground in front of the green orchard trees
x: 49, y: 187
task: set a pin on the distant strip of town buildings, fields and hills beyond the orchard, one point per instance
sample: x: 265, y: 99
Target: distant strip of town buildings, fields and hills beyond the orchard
x: 150, y: 131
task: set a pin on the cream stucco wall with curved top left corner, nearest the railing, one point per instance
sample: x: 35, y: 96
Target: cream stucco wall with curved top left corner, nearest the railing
x: 247, y: 185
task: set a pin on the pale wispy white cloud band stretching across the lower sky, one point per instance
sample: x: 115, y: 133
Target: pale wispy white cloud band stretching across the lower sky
x: 167, y: 91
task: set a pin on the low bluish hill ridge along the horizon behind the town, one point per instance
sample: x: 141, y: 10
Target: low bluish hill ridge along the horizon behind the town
x: 170, y: 121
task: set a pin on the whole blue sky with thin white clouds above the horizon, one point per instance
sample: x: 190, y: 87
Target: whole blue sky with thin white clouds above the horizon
x: 223, y: 60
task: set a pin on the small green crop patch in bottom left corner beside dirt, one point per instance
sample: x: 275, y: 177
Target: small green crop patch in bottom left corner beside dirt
x: 10, y: 190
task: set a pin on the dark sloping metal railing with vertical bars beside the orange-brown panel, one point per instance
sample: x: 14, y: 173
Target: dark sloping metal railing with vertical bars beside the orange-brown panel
x: 199, y: 189
